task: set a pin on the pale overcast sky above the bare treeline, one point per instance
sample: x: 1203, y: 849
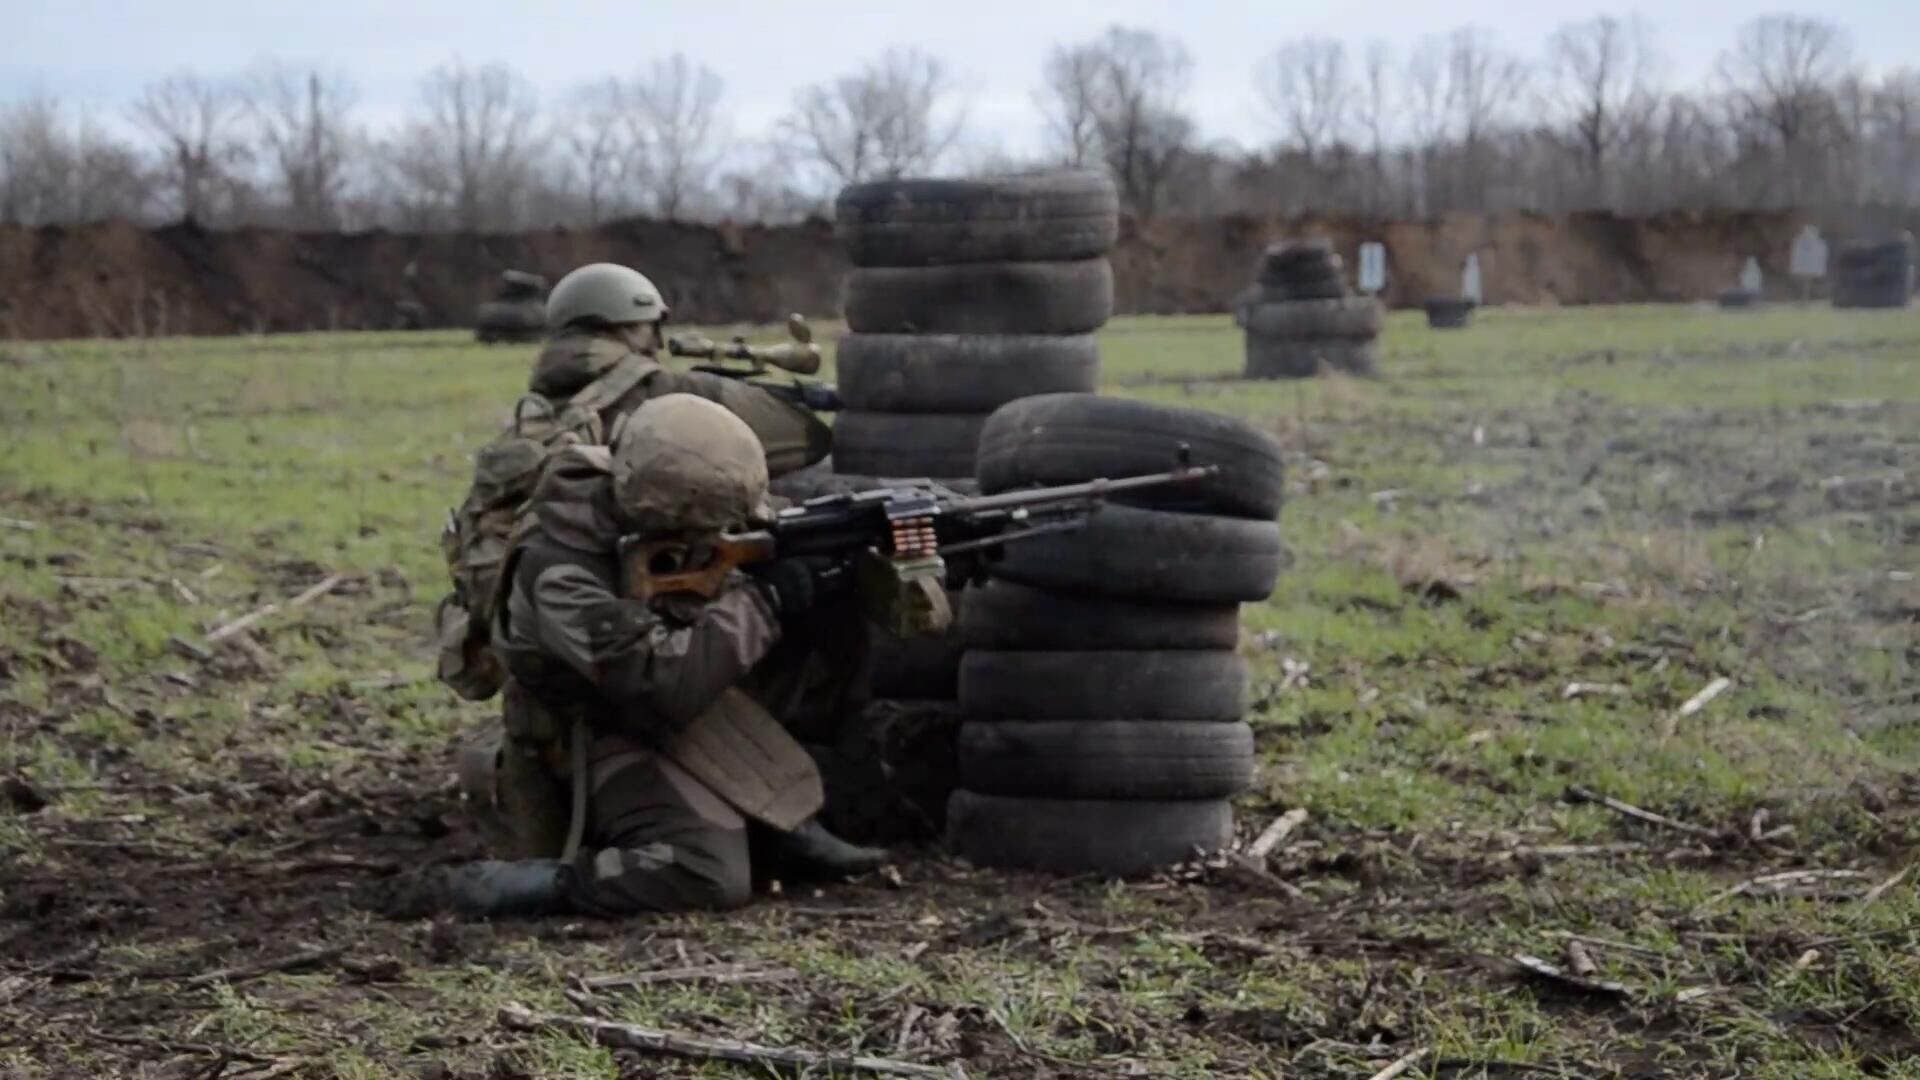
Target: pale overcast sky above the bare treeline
x: 99, y: 53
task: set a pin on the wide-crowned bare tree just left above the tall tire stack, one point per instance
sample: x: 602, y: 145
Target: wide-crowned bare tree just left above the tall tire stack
x: 888, y: 120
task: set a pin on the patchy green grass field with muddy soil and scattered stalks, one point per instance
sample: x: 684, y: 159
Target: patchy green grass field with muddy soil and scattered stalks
x: 1518, y: 556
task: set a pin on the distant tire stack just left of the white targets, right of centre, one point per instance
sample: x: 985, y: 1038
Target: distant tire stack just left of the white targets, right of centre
x: 1301, y: 318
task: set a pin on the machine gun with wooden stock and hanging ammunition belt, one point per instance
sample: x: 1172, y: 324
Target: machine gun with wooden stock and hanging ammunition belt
x: 905, y: 547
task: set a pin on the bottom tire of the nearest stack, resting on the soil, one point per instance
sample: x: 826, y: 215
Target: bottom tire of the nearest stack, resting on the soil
x: 1084, y: 837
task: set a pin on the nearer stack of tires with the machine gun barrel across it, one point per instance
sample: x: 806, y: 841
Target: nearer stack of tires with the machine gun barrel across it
x: 1103, y: 697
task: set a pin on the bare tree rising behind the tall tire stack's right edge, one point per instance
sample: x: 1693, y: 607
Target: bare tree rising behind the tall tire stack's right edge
x: 1124, y: 89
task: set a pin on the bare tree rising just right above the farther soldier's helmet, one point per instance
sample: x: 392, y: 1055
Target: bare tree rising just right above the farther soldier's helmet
x: 677, y: 116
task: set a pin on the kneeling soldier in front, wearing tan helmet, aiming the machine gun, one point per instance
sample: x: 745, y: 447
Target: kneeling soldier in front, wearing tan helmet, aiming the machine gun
x: 650, y: 756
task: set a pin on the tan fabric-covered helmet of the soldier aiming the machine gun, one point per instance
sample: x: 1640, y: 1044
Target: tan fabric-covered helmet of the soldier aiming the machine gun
x: 686, y: 466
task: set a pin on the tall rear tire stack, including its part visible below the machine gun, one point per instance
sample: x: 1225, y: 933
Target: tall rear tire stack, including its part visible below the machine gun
x: 965, y: 295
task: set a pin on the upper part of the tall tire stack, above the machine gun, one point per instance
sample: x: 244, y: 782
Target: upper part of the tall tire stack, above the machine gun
x: 965, y: 295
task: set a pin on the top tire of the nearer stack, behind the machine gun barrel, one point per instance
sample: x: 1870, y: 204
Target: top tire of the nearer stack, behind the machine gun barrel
x: 1063, y: 439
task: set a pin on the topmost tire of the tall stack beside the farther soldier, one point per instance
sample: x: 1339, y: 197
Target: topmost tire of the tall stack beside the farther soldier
x: 1022, y: 218
